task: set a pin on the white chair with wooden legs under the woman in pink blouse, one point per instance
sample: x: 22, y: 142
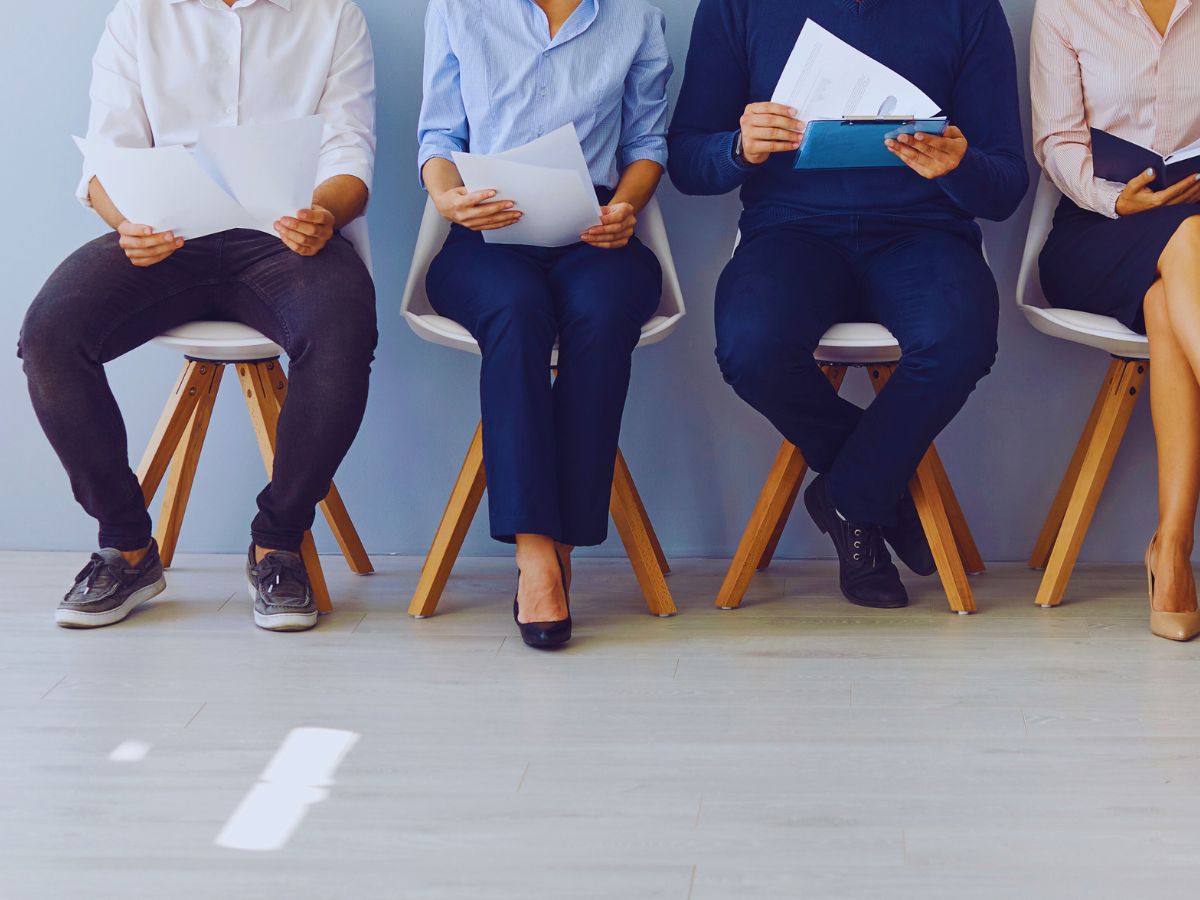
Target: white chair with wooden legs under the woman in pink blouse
x: 1071, y: 514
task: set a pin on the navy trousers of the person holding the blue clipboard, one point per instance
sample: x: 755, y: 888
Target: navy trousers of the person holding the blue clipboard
x: 925, y: 280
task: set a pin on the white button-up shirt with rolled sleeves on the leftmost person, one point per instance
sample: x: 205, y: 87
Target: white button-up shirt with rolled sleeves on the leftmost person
x: 165, y: 69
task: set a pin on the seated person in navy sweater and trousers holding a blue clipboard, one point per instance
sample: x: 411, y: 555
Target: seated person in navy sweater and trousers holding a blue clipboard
x: 890, y: 245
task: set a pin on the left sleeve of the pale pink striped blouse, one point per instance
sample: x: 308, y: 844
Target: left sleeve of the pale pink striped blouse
x: 1063, y: 142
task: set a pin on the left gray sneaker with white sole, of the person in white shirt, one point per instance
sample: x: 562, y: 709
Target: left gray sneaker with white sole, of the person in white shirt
x: 109, y: 589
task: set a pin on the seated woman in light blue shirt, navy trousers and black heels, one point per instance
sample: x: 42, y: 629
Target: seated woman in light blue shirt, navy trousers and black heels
x: 497, y: 76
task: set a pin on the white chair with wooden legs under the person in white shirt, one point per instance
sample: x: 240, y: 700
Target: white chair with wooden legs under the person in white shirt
x: 208, y: 347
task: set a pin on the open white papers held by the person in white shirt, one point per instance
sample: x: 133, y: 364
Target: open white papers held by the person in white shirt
x: 238, y: 177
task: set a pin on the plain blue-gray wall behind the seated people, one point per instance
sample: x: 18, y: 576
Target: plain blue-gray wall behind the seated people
x: 699, y: 455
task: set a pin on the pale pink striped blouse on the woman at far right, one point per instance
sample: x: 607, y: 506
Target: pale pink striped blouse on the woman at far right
x: 1103, y: 64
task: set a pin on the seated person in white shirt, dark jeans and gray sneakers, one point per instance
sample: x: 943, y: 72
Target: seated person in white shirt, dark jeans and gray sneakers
x: 164, y: 71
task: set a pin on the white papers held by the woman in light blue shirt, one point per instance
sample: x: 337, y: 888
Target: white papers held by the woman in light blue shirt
x: 548, y: 181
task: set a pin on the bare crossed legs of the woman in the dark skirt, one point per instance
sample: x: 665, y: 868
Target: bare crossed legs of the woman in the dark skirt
x: 1174, y: 305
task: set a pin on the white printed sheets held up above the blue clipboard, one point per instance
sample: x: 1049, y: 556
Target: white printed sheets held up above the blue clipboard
x: 827, y: 79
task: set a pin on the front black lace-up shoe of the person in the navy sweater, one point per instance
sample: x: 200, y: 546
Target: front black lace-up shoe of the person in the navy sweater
x: 867, y: 575
